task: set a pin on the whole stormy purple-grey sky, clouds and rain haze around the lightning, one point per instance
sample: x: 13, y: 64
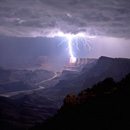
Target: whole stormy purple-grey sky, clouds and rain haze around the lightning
x: 28, y: 27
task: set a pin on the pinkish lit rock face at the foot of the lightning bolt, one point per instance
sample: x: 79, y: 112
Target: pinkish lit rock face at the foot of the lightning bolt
x: 79, y: 64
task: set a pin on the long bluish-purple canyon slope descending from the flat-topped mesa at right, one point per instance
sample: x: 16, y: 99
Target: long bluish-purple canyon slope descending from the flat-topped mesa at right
x: 105, y: 67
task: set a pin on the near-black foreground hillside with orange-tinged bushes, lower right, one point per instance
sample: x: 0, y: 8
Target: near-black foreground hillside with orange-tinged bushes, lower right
x: 106, y: 106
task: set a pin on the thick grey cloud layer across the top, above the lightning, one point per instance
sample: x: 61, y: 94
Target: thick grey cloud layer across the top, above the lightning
x: 32, y: 18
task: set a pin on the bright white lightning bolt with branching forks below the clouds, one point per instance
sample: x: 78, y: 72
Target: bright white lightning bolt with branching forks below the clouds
x: 77, y: 37
